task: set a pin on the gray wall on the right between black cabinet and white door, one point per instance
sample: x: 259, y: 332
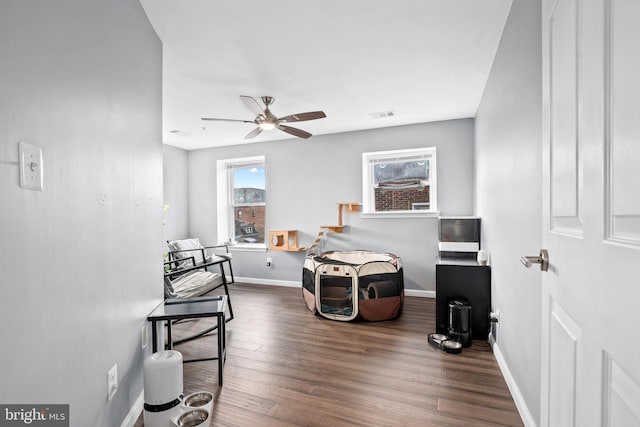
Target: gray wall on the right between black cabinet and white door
x: 509, y: 192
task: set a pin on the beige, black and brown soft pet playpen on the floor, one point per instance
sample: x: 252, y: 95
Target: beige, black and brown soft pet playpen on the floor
x: 347, y: 285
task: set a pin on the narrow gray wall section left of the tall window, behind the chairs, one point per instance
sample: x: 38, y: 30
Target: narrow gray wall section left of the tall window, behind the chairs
x: 176, y: 193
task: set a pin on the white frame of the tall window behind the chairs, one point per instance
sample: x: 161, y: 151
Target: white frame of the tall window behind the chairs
x: 225, y: 202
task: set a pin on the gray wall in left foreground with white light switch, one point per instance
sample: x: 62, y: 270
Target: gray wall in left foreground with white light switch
x: 82, y: 80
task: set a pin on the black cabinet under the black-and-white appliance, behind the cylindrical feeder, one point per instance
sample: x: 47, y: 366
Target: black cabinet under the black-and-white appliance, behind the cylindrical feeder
x: 465, y: 280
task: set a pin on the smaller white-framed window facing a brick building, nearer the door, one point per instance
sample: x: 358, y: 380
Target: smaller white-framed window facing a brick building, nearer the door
x: 399, y: 182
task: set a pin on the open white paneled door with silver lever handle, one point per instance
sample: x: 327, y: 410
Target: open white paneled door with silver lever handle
x: 591, y: 293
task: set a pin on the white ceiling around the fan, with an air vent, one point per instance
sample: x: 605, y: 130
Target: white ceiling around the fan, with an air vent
x: 424, y: 60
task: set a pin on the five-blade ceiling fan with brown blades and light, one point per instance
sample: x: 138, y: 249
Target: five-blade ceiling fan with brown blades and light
x: 266, y: 120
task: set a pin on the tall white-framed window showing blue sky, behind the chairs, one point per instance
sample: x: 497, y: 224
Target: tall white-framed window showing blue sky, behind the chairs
x: 242, y: 201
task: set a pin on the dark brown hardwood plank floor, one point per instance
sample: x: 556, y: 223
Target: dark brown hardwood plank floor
x: 288, y: 367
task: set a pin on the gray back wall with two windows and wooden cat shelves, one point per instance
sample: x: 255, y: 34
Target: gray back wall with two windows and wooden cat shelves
x: 305, y: 180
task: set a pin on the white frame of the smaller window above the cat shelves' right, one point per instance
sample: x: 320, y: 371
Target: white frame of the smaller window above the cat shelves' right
x: 369, y: 159
